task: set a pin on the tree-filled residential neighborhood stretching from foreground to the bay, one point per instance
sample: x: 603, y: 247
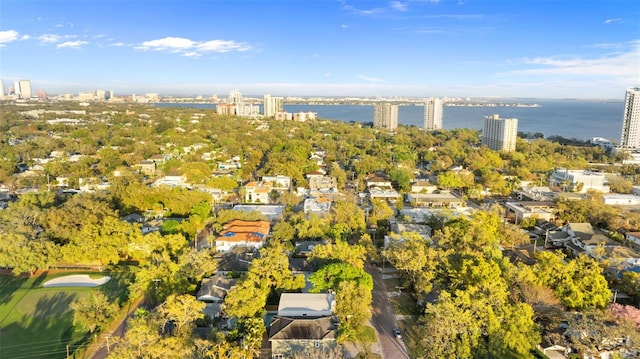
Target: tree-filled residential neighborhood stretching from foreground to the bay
x: 286, y: 239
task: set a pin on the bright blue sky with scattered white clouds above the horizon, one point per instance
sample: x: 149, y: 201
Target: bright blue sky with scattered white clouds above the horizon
x: 421, y: 48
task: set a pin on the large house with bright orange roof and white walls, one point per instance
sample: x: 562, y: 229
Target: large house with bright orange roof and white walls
x: 239, y: 233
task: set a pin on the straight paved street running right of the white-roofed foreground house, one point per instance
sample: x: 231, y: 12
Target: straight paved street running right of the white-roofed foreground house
x: 383, y: 318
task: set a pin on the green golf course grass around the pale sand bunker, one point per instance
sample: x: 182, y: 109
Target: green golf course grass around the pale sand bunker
x: 36, y: 322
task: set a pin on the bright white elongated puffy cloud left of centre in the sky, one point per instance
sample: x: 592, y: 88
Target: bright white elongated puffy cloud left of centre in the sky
x: 190, y: 48
